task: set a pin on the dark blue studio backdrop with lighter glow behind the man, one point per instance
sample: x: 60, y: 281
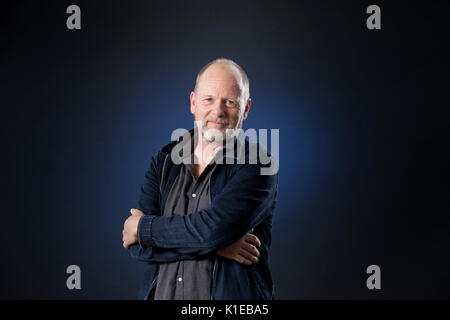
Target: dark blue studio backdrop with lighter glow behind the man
x: 363, y: 137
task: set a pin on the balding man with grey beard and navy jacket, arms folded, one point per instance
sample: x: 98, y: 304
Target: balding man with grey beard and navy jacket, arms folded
x: 203, y: 225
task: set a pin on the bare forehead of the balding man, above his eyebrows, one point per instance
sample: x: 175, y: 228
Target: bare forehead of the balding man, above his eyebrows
x: 218, y: 79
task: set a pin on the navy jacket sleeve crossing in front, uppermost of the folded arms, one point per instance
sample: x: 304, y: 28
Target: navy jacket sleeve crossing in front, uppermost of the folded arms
x: 247, y: 199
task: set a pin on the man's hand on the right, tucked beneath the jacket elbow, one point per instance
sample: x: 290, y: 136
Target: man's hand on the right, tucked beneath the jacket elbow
x: 244, y: 250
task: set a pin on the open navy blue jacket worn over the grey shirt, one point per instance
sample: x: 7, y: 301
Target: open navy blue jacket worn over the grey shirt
x: 241, y: 199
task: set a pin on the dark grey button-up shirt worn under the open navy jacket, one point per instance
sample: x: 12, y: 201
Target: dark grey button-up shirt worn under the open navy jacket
x: 186, y: 279
